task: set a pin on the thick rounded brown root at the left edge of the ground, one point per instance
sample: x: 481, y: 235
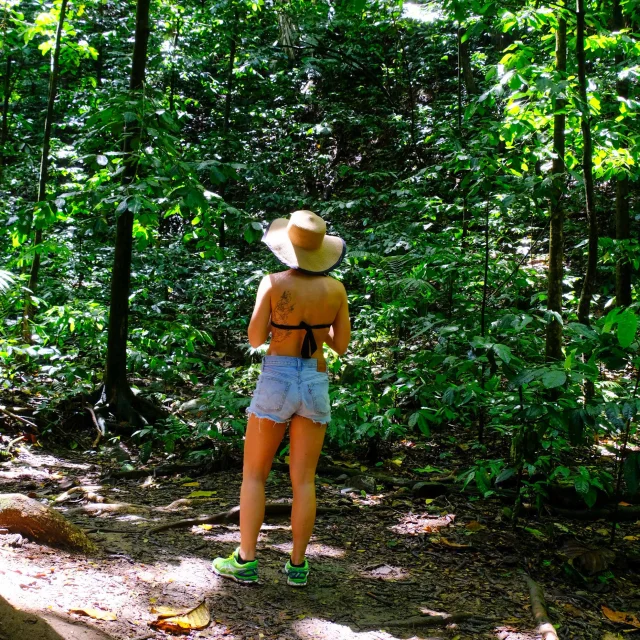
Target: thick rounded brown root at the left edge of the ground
x: 23, y: 515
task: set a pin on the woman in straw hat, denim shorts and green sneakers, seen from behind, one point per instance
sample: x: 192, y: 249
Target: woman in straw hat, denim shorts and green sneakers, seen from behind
x: 302, y: 309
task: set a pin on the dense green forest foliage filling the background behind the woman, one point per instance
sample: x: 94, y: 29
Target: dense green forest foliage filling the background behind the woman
x: 422, y: 133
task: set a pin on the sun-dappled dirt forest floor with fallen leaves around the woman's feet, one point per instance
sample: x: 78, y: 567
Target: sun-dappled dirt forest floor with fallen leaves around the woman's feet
x: 384, y: 557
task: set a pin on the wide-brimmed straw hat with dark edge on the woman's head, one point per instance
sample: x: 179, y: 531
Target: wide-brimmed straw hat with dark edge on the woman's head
x: 301, y: 243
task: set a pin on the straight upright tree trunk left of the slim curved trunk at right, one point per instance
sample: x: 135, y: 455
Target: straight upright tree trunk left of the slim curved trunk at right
x: 553, y: 349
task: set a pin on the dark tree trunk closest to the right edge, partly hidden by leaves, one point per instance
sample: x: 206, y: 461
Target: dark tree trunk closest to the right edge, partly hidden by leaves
x: 623, y: 227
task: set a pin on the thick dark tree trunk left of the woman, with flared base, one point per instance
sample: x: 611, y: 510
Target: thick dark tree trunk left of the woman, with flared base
x: 118, y: 394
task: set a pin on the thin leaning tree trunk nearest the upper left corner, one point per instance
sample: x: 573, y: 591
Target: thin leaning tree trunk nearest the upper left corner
x: 44, y: 172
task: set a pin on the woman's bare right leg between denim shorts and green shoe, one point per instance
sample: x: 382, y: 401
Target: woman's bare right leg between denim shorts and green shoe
x: 306, y: 439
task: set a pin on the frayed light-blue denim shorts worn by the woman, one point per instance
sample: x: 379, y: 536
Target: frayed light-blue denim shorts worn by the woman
x: 289, y: 386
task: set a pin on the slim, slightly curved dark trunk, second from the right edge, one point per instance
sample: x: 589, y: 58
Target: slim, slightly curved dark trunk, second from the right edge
x: 584, y: 306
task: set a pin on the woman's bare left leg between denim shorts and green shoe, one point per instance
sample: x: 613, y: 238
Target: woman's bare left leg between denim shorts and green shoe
x: 260, y: 445
